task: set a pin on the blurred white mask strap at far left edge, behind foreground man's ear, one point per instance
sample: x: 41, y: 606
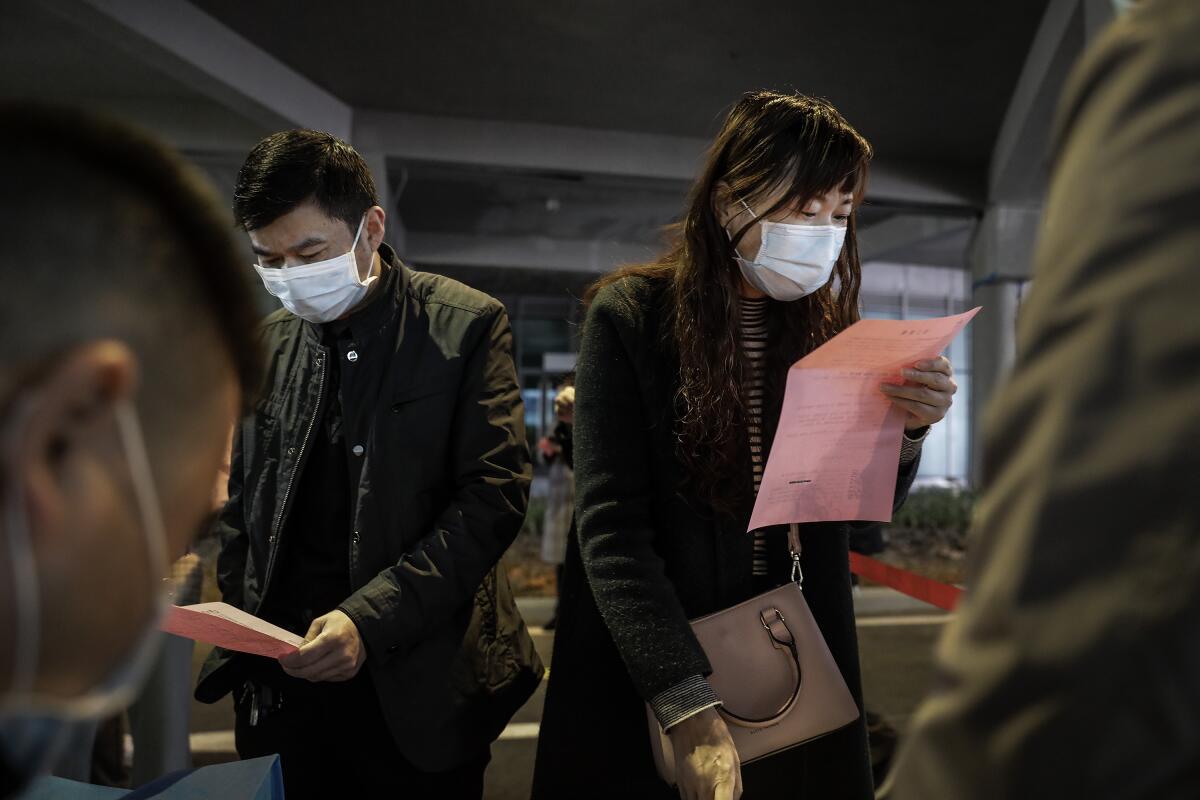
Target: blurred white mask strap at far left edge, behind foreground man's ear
x: 27, y: 591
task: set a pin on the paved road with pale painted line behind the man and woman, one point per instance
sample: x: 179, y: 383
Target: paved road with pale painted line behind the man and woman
x: 897, y: 636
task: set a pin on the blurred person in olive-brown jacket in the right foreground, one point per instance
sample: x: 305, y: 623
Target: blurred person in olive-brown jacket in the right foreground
x: 1073, y: 666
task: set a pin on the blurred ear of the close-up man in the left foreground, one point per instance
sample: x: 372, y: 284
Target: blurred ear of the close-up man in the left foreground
x: 70, y: 413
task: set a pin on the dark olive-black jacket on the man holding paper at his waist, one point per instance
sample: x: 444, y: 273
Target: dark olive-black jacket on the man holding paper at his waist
x: 442, y: 496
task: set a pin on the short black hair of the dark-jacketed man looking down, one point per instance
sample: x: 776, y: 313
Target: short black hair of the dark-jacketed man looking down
x: 295, y: 167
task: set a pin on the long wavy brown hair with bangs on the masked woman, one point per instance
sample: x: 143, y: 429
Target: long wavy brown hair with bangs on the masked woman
x: 790, y: 149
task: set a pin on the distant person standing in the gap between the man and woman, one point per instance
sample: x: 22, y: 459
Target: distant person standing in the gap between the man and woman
x: 559, y: 450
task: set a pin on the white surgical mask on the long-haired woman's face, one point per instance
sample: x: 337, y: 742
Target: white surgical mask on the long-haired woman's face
x: 794, y: 261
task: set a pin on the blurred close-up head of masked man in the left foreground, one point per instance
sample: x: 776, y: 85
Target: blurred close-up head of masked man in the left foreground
x: 124, y: 322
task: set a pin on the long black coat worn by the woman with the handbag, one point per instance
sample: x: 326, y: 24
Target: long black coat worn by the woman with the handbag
x: 647, y: 560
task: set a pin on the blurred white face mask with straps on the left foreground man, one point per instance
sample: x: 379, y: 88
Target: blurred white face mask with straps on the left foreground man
x: 22, y: 709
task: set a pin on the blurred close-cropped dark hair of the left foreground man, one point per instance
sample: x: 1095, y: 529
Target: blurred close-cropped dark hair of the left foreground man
x: 110, y: 234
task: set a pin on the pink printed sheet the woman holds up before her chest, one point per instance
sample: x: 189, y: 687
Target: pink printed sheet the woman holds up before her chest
x: 837, y: 452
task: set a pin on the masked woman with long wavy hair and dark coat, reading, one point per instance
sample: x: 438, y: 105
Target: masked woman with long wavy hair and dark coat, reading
x: 680, y: 389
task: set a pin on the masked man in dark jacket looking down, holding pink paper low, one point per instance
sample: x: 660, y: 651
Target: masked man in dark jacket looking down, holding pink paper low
x: 374, y: 491
